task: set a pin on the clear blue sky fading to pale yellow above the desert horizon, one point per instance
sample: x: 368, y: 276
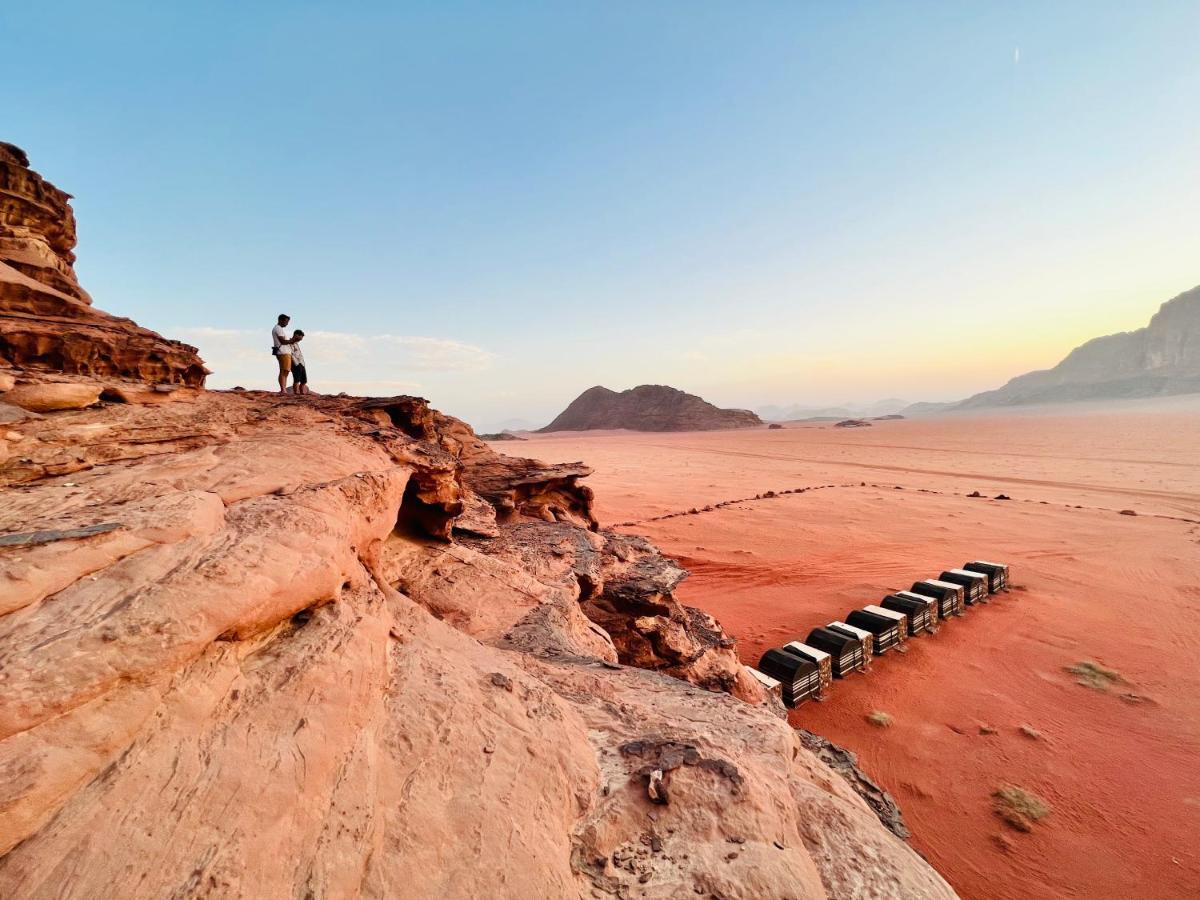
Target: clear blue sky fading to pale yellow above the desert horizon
x: 500, y: 205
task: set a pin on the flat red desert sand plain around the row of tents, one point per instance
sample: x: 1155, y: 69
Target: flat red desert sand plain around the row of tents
x: 1123, y: 778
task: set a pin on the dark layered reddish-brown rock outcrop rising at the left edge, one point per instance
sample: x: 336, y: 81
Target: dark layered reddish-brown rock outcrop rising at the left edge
x: 47, y: 322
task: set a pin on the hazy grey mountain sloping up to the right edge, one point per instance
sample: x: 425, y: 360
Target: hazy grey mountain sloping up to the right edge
x: 1159, y: 361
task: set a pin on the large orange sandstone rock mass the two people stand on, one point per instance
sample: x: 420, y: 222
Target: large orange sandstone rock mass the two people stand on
x: 259, y: 646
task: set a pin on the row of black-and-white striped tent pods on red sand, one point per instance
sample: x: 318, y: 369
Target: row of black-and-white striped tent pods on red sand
x: 800, y: 671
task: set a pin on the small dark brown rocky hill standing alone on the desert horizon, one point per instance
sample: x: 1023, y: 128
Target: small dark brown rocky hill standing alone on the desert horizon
x: 649, y: 407
